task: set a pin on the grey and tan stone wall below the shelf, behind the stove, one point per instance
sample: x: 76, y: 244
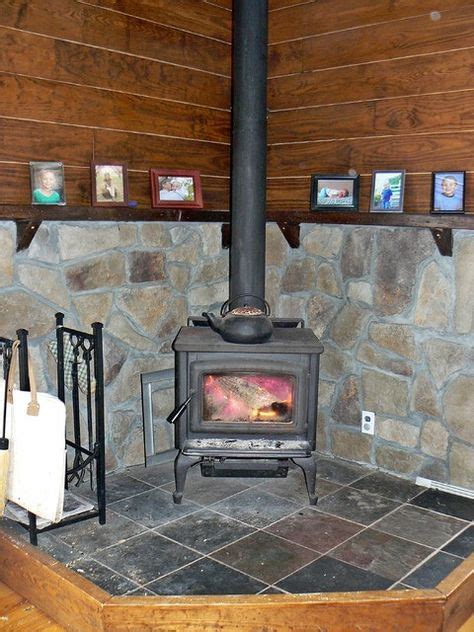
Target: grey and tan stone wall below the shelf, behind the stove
x: 396, y: 318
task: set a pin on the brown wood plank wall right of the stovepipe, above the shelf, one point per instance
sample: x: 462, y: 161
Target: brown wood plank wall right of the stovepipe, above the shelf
x: 366, y: 85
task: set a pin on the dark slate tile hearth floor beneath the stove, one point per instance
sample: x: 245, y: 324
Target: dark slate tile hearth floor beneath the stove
x: 369, y: 531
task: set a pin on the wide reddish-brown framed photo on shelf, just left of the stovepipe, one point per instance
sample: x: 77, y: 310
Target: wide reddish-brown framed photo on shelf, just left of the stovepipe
x: 175, y: 188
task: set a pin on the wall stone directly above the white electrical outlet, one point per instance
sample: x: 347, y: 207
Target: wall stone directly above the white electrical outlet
x: 384, y: 393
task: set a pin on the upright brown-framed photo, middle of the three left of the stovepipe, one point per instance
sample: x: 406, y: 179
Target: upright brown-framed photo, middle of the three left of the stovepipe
x: 109, y: 183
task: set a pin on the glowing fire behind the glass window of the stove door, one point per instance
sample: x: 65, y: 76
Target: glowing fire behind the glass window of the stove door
x: 248, y: 397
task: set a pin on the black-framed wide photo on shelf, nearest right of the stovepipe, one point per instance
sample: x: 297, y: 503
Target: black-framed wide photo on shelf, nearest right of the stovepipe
x: 331, y: 192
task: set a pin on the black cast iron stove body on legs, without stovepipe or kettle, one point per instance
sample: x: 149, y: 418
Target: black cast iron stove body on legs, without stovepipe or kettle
x: 246, y: 408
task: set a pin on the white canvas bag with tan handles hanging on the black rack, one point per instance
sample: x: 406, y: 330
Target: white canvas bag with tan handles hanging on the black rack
x: 36, y: 426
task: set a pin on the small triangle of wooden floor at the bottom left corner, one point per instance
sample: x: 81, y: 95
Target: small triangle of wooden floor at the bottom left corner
x: 17, y: 614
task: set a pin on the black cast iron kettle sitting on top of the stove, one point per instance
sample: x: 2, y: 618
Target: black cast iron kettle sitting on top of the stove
x: 244, y: 325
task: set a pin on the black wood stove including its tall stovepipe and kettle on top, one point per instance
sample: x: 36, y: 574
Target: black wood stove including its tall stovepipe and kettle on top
x: 246, y: 384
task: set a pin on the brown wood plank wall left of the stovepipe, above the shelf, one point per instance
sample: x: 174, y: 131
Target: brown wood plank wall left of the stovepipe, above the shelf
x: 146, y: 82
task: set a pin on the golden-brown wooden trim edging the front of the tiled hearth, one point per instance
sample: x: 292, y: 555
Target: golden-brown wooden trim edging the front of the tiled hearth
x: 78, y: 604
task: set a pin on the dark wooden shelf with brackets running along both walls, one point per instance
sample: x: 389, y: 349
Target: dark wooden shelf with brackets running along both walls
x: 29, y: 218
